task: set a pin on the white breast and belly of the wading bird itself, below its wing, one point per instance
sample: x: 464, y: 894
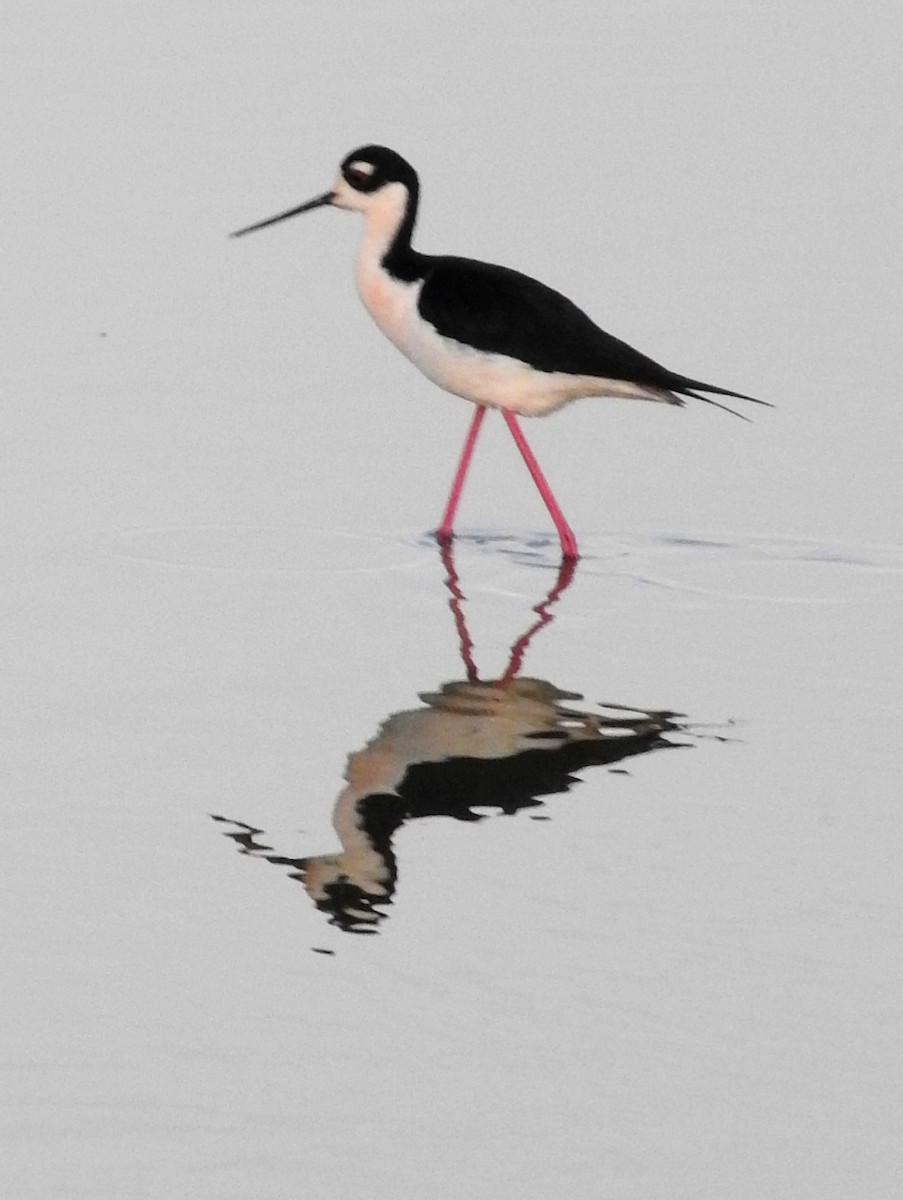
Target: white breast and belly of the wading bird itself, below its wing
x: 494, y: 381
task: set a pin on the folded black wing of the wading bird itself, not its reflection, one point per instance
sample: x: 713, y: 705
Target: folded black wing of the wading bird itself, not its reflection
x: 501, y: 311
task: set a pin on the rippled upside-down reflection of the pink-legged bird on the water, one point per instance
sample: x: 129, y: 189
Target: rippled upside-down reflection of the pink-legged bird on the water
x: 503, y: 745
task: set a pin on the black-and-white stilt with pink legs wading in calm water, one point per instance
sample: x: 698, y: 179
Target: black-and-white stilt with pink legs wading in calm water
x: 486, y: 333
